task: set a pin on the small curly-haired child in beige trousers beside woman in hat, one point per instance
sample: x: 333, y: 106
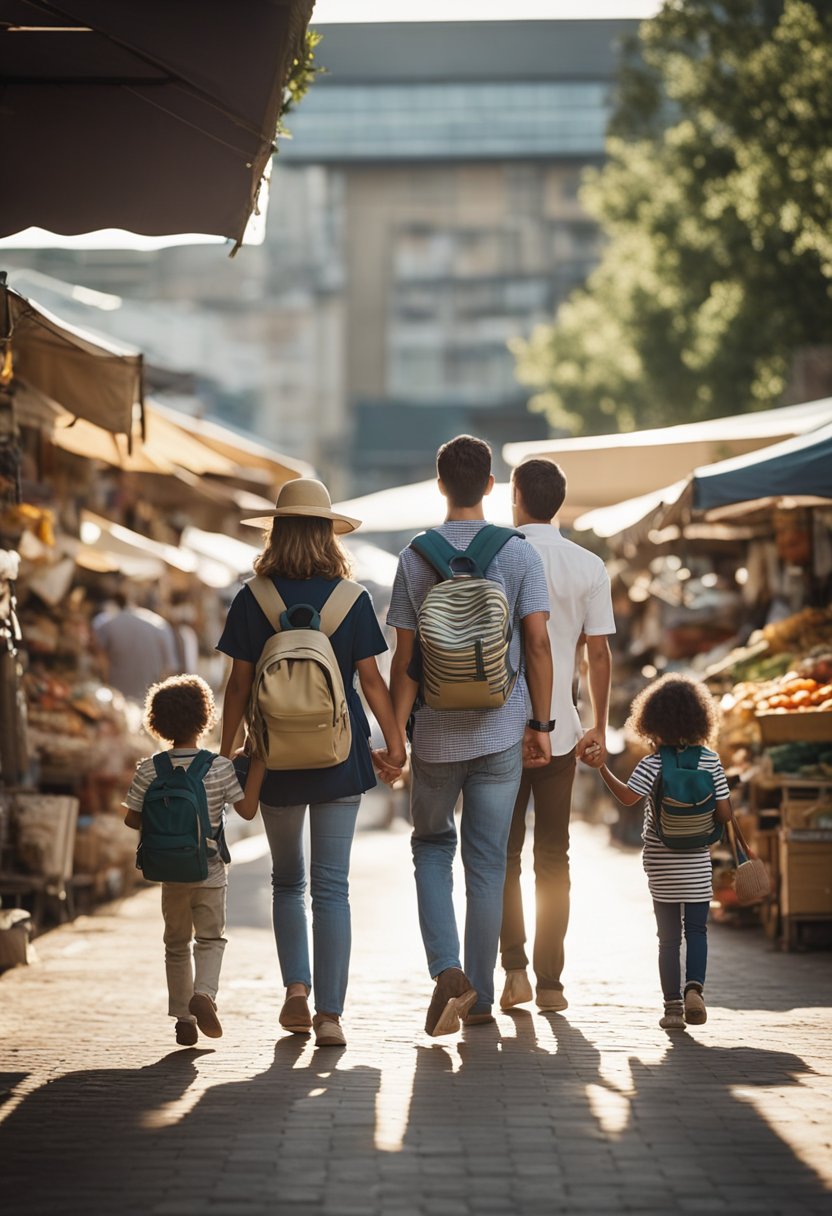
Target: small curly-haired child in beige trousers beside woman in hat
x: 179, y: 712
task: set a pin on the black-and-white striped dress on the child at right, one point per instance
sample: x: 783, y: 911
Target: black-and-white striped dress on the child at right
x: 674, y: 876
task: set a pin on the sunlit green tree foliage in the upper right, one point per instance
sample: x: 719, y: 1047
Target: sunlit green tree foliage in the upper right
x: 716, y: 200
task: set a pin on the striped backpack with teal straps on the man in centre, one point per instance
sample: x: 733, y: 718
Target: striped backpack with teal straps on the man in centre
x: 464, y: 626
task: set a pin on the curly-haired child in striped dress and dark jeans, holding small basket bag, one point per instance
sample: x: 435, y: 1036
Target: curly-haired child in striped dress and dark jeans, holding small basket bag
x: 676, y: 713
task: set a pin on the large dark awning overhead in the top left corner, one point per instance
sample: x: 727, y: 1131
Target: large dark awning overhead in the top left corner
x: 158, y: 119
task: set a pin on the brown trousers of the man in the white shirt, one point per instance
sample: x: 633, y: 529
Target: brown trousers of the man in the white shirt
x: 552, y: 789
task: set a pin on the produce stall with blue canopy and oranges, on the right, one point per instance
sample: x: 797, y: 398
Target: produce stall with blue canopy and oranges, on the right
x: 743, y: 551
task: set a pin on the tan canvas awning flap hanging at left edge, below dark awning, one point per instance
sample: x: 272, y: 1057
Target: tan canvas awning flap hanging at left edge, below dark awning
x: 91, y: 378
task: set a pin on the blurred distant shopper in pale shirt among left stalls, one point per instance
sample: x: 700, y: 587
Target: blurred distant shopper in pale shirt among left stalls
x: 138, y: 646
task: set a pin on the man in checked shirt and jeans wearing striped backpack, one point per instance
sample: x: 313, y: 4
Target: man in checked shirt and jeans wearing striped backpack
x: 449, y: 661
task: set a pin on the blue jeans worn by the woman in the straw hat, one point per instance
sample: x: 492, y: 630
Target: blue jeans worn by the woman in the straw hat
x: 333, y: 827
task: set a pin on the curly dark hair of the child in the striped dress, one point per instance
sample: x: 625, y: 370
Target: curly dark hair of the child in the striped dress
x: 676, y: 711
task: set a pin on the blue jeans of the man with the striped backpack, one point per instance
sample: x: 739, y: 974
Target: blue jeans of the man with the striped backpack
x: 488, y: 786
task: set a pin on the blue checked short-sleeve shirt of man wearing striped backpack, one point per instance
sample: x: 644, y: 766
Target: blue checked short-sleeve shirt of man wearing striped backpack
x: 446, y: 736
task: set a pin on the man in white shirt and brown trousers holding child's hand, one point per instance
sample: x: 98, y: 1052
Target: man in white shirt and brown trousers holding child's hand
x: 581, y: 607
